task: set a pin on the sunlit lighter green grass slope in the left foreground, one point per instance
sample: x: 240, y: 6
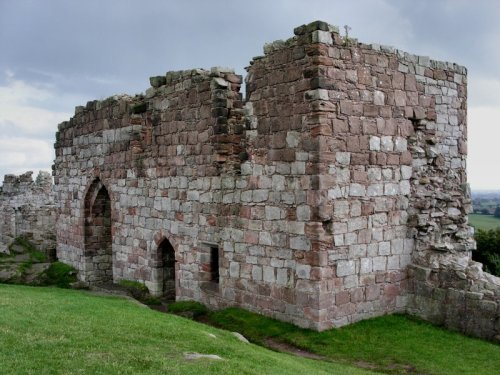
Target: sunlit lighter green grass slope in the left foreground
x: 61, y: 331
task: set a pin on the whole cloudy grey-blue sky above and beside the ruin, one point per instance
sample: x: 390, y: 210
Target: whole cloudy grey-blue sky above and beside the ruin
x: 58, y: 54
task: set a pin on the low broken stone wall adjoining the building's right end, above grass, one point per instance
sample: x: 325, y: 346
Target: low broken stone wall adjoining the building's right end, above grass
x: 458, y: 296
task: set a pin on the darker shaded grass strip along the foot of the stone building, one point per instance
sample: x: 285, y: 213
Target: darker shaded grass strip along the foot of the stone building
x: 393, y: 344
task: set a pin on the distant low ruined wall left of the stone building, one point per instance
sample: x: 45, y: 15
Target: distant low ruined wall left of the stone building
x: 28, y: 209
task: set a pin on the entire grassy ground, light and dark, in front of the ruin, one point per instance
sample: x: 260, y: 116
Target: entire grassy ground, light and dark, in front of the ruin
x: 57, y: 331
